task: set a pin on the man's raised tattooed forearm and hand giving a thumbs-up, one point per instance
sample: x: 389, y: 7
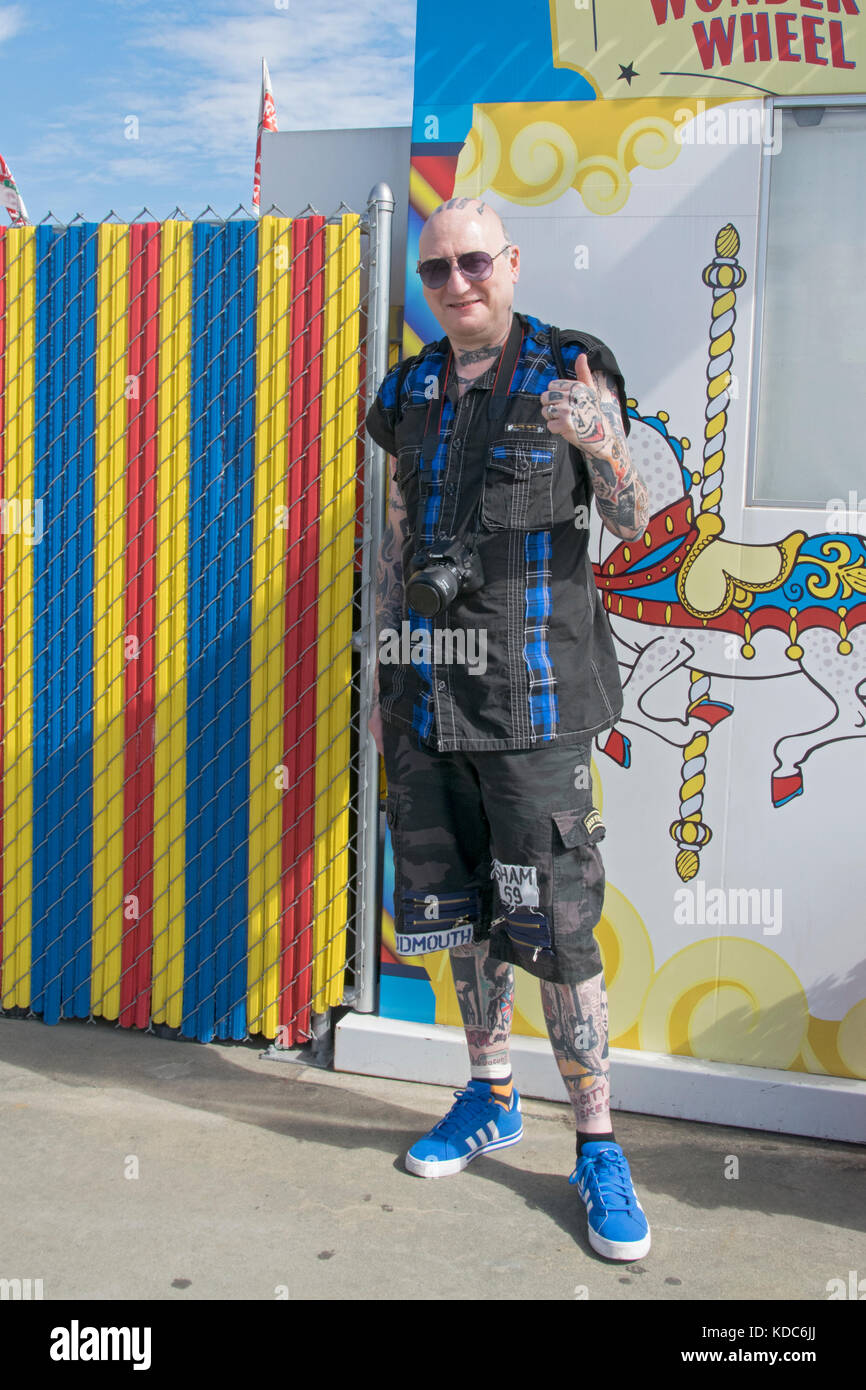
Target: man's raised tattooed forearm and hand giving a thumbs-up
x: 587, y: 412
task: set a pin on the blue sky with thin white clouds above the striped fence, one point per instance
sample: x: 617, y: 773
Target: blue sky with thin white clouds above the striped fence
x: 76, y: 72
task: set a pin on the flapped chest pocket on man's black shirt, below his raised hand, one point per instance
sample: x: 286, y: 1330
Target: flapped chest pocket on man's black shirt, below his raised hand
x: 519, y: 486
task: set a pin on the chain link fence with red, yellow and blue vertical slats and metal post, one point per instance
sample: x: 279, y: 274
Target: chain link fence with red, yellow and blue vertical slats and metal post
x: 190, y: 794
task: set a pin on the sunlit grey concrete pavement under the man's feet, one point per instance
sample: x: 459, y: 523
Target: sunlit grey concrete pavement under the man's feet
x: 145, y: 1168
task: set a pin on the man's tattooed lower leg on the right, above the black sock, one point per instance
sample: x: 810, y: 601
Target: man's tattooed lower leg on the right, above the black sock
x: 578, y: 1027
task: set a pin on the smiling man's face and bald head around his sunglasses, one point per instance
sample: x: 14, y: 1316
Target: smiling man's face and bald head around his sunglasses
x: 472, y: 312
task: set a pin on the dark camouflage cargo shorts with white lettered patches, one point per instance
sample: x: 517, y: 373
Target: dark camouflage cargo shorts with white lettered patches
x: 501, y: 846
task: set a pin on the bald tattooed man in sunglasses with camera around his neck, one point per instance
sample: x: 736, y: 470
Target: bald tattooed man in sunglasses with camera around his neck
x: 503, y: 433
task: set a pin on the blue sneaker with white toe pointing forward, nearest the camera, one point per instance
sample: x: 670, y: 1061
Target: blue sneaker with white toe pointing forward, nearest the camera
x: 618, y: 1225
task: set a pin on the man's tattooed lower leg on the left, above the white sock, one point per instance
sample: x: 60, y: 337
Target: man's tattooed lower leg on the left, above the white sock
x: 486, y: 995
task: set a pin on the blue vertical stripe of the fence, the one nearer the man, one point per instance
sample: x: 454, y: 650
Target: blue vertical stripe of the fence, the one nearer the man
x: 220, y: 619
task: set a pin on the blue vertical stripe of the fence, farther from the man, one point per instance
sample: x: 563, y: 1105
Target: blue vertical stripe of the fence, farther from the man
x: 63, y: 621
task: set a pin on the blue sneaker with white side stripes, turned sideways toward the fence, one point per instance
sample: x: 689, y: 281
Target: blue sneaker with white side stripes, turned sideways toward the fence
x: 475, y: 1125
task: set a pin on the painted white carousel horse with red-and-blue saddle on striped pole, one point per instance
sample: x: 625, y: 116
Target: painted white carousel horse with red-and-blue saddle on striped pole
x: 686, y: 598
